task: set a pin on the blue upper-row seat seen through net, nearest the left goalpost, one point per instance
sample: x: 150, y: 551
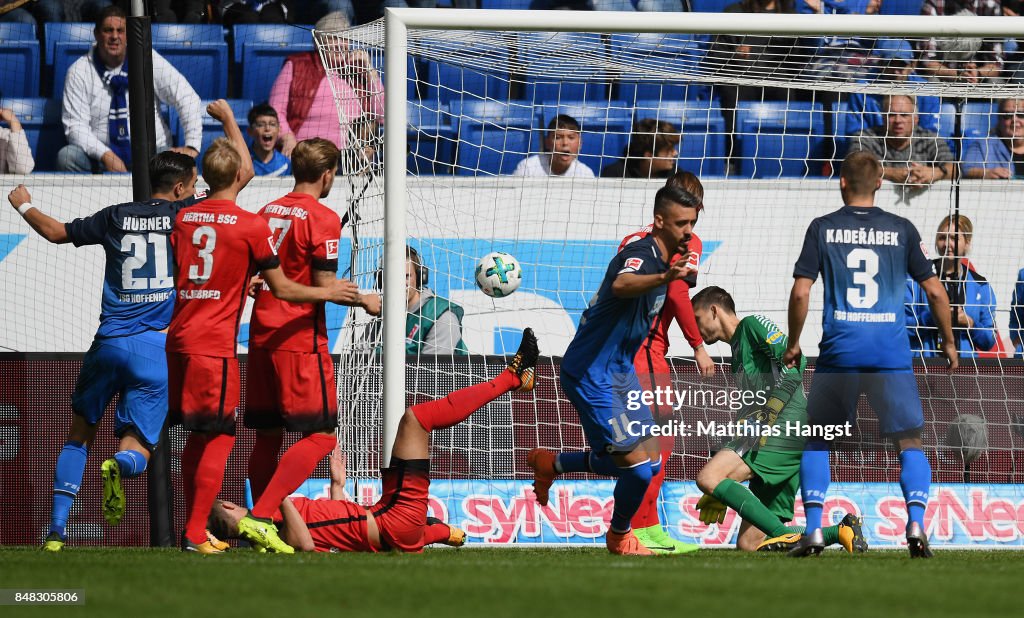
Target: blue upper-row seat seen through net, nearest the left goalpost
x: 451, y: 82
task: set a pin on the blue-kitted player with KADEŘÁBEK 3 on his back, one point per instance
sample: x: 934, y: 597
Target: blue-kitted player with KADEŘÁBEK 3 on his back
x: 865, y: 256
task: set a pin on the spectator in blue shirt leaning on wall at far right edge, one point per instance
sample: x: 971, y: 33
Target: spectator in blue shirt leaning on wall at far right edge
x: 1001, y: 155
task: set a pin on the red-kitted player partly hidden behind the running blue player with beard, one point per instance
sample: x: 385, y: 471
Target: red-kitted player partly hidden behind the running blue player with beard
x: 653, y: 370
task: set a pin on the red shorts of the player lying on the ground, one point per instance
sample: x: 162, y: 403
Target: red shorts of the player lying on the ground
x: 402, y: 512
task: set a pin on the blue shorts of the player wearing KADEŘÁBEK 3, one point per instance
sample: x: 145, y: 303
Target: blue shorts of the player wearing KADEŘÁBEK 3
x: 892, y: 394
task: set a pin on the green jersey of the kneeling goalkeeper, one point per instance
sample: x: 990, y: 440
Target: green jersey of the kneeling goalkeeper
x: 758, y: 346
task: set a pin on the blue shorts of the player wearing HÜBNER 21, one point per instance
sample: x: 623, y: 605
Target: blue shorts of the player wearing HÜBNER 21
x: 136, y: 369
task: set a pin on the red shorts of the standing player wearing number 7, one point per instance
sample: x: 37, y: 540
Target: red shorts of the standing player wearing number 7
x: 294, y: 390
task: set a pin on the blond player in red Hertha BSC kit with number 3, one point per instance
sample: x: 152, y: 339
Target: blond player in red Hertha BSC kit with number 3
x: 218, y: 248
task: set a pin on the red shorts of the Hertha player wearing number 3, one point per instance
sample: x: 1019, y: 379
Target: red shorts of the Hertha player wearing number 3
x: 203, y: 392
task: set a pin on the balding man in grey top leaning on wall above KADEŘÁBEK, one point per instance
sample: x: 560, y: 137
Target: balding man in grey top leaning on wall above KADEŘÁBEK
x: 910, y: 155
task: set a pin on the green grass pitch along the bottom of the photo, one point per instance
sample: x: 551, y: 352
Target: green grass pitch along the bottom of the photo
x: 525, y: 584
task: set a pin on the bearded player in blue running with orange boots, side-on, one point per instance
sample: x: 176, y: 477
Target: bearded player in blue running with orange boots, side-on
x: 599, y: 375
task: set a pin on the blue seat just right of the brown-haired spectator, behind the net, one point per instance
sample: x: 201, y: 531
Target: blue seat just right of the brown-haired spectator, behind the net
x: 702, y: 149
